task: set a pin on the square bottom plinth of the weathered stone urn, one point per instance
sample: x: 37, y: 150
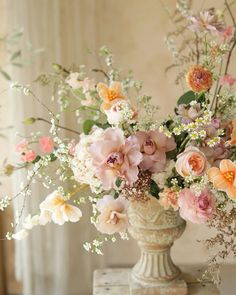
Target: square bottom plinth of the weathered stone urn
x: 176, y: 287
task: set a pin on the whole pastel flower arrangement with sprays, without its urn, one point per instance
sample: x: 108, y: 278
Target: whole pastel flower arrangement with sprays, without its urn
x: 125, y: 153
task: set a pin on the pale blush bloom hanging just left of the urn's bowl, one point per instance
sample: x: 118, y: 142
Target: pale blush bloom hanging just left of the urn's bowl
x: 113, y: 217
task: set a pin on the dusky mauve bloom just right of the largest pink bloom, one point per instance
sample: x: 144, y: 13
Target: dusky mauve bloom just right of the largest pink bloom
x: 154, y: 146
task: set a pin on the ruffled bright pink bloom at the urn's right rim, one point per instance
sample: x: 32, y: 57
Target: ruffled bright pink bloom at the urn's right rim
x: 197, y: 209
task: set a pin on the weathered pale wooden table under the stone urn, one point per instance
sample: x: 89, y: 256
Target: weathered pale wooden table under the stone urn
x: 116, y: 282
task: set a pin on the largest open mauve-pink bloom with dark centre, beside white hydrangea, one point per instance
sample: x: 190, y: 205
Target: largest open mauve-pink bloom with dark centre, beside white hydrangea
x: 114, y: 156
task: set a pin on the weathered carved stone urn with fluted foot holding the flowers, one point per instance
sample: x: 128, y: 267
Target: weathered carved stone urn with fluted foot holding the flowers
x: 155, y: 230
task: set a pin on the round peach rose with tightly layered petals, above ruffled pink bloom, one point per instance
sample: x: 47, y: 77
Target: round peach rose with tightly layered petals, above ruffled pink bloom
x: 191, y: 162
